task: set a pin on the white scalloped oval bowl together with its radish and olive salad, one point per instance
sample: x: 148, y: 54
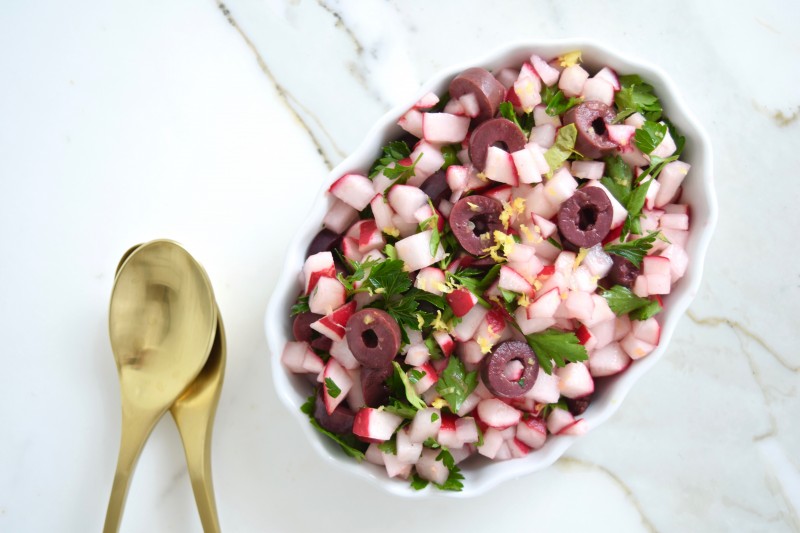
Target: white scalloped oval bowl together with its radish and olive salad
x: 493, y: 269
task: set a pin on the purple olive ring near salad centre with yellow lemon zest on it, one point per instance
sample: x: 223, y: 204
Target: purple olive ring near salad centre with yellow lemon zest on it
x: 474, y: 220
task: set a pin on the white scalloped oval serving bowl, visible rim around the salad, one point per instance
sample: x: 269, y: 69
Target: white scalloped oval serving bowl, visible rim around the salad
x: 698, y: 189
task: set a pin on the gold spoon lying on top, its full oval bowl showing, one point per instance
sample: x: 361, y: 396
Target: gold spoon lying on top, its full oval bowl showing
x: 162, y: 324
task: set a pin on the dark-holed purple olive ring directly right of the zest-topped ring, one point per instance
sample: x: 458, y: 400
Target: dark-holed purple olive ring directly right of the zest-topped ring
x: 584, y: 219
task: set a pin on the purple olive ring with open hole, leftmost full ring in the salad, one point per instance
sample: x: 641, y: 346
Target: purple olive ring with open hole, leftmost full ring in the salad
x: 374, y: 337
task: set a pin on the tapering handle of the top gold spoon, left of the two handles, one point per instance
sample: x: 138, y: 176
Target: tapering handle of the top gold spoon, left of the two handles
x: 135, y: 432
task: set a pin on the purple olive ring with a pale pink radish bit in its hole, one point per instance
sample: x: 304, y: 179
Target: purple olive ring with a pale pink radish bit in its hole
x: 493, y: 369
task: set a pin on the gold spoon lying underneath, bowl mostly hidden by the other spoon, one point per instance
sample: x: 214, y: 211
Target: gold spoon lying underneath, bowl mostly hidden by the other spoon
x: 194, y: 413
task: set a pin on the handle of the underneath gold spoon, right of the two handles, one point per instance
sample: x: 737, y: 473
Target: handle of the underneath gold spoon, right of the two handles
x: 195, y: 423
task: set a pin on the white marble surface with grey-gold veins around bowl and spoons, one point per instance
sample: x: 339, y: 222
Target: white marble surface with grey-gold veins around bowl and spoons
x: 214, y: 125
